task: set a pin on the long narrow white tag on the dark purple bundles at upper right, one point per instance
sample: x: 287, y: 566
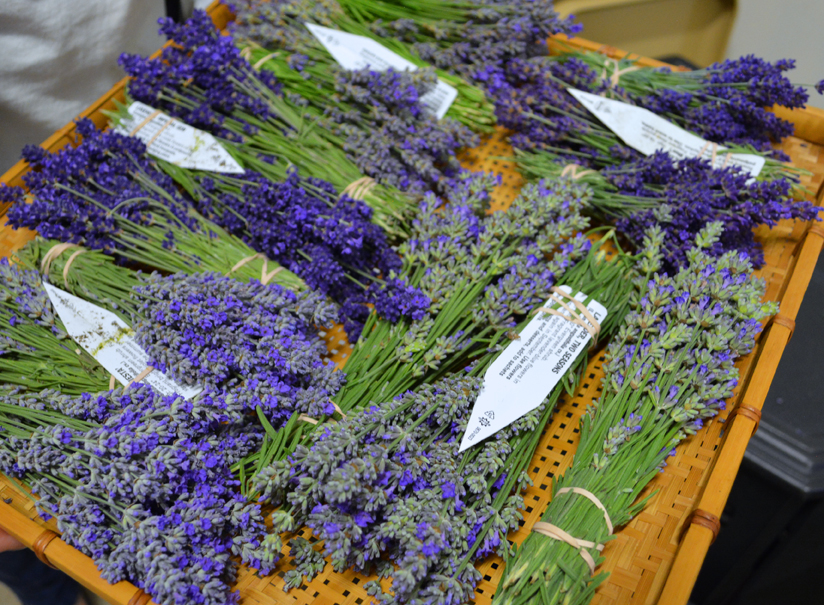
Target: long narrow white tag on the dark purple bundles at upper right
x: 647, y: 132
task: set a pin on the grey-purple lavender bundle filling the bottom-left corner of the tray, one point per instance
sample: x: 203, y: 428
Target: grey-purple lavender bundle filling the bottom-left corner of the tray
x: 140, y: 483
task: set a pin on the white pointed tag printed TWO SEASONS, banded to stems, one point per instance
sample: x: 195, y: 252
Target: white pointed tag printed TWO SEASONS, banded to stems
x: 527, y: 370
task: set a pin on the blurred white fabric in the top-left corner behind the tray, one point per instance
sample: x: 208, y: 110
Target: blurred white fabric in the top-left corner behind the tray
x: 59, y: 56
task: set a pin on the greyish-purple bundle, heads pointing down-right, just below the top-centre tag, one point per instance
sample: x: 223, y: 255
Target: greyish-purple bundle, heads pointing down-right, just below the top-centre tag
x: 378, y: 115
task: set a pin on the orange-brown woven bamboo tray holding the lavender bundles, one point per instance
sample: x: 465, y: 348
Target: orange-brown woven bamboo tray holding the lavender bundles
x: 657, y: 556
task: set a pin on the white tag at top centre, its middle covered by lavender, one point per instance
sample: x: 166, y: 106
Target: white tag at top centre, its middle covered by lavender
x: 356, y: 52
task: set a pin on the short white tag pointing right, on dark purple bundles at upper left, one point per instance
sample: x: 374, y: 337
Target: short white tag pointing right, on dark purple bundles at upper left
x: 177, y: 142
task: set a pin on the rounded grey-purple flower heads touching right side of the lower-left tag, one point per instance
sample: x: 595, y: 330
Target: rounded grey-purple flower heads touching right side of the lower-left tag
x: 253, y: 347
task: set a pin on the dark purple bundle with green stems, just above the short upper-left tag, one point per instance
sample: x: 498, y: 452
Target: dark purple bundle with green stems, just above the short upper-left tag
x: 203, y: 80
